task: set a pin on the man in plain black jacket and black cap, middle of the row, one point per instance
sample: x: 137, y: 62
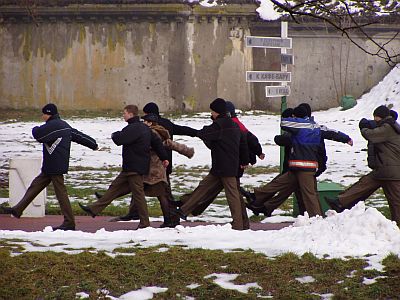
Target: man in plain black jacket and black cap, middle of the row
x: 228, y: 151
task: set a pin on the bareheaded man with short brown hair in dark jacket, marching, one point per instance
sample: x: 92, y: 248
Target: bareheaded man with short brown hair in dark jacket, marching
x: 136, y: 140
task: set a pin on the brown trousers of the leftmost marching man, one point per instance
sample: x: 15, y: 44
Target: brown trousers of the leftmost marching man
x: 41, y: 182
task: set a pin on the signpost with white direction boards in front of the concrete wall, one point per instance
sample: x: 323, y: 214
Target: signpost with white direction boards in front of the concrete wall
x: 283, y: 76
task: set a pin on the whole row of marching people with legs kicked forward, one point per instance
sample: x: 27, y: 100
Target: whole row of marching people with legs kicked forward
x: 147, y: 145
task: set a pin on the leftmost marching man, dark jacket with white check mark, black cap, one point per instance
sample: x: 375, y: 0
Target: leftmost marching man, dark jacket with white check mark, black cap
x: 56, y: 136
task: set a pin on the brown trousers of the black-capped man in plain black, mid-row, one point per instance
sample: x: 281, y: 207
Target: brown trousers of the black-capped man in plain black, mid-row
x: 213, y: 185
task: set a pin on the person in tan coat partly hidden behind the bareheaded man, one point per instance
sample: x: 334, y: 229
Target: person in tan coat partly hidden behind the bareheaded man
x: 156, y: 182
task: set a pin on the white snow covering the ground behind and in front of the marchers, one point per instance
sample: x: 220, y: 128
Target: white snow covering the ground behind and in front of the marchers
x: 356, y: 233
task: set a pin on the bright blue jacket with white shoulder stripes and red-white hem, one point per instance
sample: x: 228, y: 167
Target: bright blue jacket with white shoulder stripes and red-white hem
x: 305, y: 140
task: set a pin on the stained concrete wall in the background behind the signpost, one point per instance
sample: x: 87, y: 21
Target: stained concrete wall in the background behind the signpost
x: 105, y: 57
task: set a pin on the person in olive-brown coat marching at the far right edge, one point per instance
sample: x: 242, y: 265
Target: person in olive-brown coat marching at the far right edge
x: 385, y: 138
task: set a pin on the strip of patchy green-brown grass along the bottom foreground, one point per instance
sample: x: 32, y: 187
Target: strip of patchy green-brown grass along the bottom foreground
x: 53, y: 275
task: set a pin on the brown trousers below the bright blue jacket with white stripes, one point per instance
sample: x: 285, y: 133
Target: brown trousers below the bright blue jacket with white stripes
x: 303, y: 183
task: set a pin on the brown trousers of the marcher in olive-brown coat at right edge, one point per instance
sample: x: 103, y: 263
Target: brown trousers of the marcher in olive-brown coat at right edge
x: 366, y: 186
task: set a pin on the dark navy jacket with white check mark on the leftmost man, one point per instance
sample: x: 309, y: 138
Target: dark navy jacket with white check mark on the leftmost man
x: 56, y: 136
